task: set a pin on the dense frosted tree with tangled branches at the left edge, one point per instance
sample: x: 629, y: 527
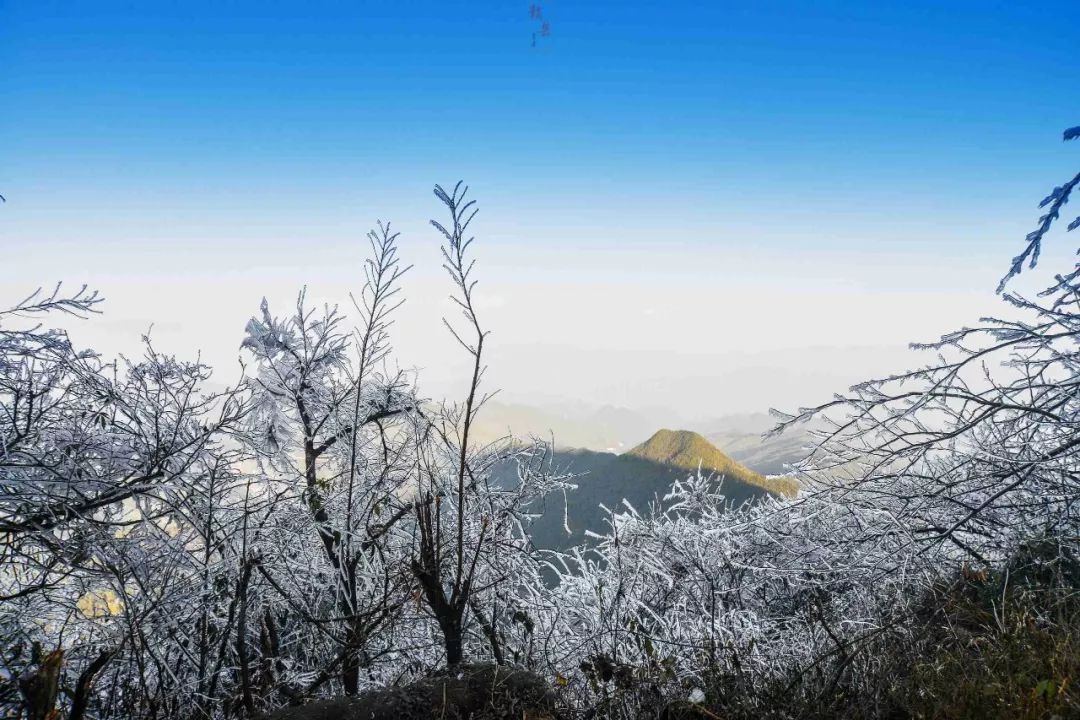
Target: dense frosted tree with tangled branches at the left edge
x: 100, y: 465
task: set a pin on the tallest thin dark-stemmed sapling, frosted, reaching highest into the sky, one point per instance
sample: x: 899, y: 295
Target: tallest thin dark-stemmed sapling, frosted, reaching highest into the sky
x: 471, y: 556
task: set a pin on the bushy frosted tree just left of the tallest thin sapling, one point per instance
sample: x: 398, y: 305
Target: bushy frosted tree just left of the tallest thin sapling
x: 335, y: 441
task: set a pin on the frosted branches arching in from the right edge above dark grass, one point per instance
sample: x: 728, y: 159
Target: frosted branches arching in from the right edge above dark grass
x: 979, y: 447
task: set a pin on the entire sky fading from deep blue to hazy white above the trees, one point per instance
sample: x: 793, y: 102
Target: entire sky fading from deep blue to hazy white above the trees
x: 712, y: 208
